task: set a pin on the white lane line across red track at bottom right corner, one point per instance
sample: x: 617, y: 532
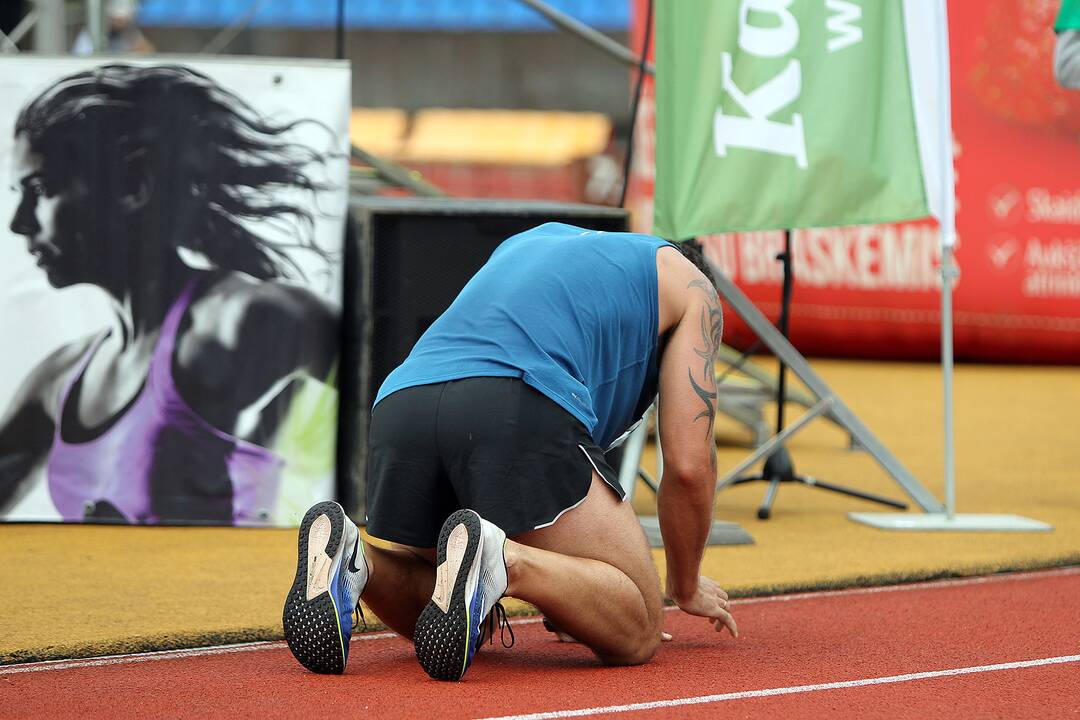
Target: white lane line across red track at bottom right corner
x: 703, y: 700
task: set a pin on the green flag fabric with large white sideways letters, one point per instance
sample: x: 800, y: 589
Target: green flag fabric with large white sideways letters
x: 785, y: 114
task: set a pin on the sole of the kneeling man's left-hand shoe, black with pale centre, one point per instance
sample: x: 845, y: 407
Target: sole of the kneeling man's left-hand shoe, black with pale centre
x: 310, y: 617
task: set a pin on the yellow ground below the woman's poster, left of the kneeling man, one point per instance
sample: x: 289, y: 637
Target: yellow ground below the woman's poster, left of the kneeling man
x: 110, y: 590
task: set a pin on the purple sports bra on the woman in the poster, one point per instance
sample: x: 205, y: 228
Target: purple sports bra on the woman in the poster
x: 160, y: 440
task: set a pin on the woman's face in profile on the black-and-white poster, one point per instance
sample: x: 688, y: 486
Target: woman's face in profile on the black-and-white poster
x: 52, y: 215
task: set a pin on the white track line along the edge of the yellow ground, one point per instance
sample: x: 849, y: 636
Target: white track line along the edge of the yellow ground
x: 275, y: 645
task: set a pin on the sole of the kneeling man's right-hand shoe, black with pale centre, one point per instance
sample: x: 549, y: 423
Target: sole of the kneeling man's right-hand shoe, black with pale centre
x: 442, y: 630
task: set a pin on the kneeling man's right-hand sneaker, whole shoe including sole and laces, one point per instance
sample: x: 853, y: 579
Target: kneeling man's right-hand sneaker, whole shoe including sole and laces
x: 470, y: 578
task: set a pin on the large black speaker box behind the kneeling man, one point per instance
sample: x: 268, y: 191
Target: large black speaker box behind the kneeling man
x: 406, y: 261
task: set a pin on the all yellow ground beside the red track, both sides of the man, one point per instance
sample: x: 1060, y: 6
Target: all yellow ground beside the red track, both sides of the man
x: 77, y: 591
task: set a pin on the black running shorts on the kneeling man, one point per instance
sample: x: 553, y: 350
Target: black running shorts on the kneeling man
x: 493, y: 445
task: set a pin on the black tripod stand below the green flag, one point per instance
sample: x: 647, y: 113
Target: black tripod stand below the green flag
x: 779, y: 467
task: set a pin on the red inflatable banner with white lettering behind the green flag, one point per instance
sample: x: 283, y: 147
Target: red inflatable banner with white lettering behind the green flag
x: 874, y: 291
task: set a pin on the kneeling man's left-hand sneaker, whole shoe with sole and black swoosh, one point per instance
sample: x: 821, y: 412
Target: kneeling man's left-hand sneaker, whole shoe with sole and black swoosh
x: 331, y: 574
